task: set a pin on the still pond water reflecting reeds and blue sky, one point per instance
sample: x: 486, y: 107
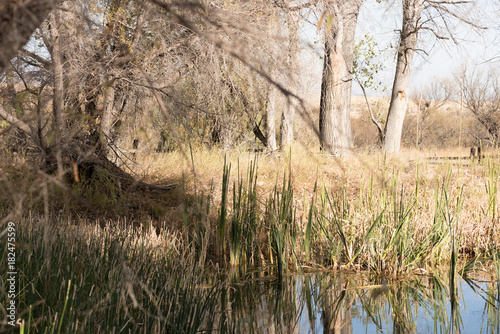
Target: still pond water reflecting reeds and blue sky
x: 335, y: 303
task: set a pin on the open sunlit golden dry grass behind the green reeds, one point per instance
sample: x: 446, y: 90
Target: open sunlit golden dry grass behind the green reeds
x: 353, y: 177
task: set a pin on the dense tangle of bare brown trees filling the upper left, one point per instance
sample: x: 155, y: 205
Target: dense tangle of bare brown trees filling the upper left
x: 99, y: 71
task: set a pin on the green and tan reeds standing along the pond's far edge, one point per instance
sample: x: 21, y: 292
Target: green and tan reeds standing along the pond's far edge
x: 387, y: 223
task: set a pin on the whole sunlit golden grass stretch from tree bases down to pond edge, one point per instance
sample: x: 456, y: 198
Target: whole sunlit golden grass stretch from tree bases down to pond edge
x: 353, y: 201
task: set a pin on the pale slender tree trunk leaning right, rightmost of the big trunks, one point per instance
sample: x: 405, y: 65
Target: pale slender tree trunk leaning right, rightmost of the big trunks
x: 412, y: 10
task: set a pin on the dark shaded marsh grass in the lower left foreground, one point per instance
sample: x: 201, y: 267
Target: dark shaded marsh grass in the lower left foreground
x: 107, y: 280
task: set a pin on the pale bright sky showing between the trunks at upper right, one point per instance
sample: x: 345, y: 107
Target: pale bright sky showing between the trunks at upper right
x: 476, y: 47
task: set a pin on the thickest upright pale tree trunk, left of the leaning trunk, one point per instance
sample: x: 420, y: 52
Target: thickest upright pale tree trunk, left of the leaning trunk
x: 335, y: 106
